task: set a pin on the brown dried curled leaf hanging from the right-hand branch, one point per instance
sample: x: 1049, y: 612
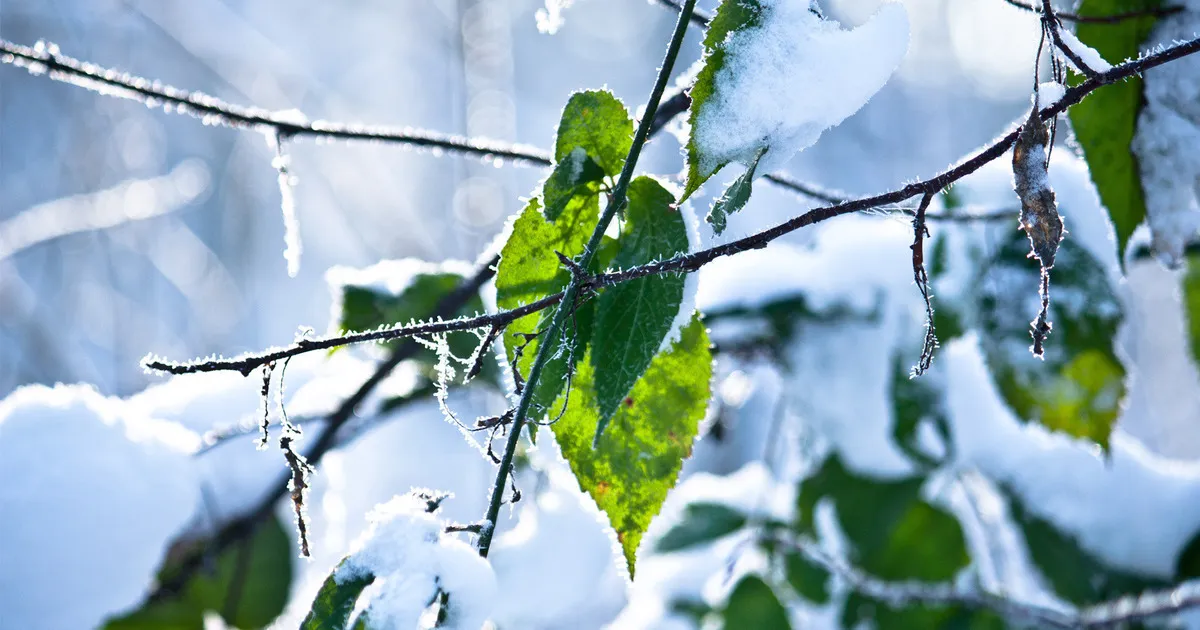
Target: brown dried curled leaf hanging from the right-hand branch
x: 1040, y: 212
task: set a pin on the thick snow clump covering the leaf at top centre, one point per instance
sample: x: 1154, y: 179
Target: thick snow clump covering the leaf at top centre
x: 794, y: 76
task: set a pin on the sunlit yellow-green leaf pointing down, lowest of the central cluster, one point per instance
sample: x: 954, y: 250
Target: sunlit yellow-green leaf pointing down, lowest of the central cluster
x: 638, y: 460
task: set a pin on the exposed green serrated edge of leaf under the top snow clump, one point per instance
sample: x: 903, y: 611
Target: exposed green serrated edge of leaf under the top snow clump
x: 731, y: 16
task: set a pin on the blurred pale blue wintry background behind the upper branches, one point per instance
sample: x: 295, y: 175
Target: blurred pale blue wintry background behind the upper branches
x: 127, y: 231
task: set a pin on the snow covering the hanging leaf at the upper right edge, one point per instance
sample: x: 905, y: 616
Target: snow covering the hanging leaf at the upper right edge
x: 1168, y: 134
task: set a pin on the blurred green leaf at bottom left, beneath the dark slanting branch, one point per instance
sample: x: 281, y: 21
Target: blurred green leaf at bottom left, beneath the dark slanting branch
x: 248, y: 589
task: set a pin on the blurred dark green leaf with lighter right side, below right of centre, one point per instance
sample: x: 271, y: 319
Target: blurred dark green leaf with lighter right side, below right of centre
x: 893, y: 533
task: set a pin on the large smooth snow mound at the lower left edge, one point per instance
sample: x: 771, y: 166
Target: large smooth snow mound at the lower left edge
x: 92, y: 499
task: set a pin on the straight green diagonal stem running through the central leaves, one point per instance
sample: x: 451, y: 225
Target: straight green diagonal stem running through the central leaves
x: 615, y: 206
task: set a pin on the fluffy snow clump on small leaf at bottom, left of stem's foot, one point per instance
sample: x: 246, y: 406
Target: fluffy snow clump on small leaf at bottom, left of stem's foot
x: 412, y: 559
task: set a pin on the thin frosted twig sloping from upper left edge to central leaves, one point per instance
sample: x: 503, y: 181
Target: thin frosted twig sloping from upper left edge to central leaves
x: 47, y: 59
